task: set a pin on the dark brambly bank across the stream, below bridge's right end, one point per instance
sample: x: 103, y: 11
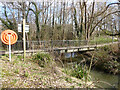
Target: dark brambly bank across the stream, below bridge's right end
x: 106, y: 59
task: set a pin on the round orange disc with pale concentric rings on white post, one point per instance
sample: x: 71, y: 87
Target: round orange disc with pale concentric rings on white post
x: 5, y: 37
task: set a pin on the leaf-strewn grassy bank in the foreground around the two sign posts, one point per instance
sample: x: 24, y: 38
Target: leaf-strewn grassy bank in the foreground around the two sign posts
x: 38, y: 71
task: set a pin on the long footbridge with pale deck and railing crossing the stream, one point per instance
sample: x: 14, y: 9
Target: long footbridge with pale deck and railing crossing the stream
x: 58, y: 46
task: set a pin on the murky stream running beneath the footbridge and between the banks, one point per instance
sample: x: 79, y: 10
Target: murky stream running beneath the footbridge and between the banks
x: 105, y: 80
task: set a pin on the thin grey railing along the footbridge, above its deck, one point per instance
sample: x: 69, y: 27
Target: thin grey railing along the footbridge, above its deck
x: 36, y: 45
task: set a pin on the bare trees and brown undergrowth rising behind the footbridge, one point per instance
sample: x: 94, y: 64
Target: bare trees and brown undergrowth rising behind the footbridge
x: 55, y: 20
